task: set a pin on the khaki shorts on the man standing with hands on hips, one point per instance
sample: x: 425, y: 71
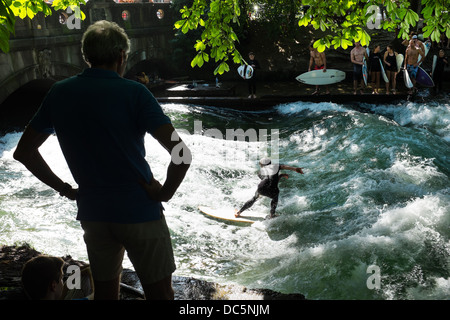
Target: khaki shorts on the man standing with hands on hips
x: 148, y: 246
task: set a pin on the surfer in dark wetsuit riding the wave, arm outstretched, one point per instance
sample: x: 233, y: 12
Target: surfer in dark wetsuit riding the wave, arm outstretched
x: 268, y: 187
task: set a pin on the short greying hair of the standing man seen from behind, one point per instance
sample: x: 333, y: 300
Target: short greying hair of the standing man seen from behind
x: 103, y: 42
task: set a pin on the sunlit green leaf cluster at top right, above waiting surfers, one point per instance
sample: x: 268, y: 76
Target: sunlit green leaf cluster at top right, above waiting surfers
x: 352, y: 19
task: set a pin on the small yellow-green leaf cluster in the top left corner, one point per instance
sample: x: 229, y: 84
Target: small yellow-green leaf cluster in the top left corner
x: 10, y: 9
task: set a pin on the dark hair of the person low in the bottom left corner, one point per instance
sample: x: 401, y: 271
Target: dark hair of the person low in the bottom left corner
x: 38, y: 273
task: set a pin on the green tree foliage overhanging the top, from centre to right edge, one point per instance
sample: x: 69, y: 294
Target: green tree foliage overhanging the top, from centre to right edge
x: 343, y: 22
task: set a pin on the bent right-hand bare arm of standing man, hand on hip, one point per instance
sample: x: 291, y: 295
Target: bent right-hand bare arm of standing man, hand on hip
x: 180, y: 161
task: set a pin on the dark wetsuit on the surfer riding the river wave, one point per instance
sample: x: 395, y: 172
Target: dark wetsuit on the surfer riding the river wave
x: 268, y: 187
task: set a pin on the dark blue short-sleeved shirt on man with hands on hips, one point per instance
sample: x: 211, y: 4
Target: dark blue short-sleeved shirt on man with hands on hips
x: 100, y: 120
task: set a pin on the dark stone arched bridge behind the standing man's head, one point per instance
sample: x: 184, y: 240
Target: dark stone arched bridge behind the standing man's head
x: 45, y: 50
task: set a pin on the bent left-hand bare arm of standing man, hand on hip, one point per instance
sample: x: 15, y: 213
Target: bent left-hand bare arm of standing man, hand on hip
x: 27, y: 152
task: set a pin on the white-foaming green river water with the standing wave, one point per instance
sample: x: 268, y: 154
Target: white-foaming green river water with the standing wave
x: 369, y: 219
